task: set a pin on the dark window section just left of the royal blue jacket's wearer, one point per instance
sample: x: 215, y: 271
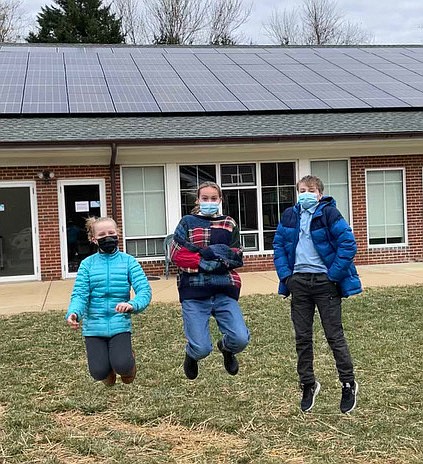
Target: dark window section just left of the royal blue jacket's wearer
x: 277, y: 194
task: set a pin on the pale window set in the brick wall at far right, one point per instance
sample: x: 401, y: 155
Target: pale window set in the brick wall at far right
x: 385, y: 206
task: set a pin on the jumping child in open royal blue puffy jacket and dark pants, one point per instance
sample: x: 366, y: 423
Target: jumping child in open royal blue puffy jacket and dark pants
x: 314, y: 248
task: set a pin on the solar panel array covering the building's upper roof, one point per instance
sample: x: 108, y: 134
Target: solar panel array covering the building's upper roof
x: 88, y: 79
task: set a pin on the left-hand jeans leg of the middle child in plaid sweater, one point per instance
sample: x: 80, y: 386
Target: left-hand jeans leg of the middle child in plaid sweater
x: 196, y: 316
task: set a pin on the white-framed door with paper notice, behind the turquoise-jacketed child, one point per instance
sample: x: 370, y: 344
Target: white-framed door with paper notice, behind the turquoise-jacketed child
x: 79, y: 199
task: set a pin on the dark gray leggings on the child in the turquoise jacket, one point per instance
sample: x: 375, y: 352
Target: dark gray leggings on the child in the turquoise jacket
x: 107, y: 353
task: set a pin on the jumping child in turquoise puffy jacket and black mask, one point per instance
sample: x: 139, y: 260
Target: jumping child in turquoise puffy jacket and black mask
x: 101, y: 299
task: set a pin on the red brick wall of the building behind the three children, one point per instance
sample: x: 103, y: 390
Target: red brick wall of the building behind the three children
x: 48, y: 218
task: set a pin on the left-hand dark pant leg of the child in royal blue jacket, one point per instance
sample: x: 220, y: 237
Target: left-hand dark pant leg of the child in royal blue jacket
x: 302, y: 315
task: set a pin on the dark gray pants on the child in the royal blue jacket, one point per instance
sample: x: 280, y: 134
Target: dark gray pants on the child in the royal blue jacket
x: 309, y: 290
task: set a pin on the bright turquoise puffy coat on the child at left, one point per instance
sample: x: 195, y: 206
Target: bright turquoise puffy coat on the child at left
x: 104, y: 280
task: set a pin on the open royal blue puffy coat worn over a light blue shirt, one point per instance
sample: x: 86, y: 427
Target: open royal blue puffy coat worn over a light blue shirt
x: 334, y: 242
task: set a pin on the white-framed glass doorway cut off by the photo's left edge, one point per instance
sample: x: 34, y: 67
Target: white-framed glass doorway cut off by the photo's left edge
x: 18, y: 232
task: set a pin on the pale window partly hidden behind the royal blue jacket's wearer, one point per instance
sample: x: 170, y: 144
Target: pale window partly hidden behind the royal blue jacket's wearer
x: 334, y: 175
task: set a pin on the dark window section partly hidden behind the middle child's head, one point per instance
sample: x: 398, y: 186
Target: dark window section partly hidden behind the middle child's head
x: 190, y: 177
